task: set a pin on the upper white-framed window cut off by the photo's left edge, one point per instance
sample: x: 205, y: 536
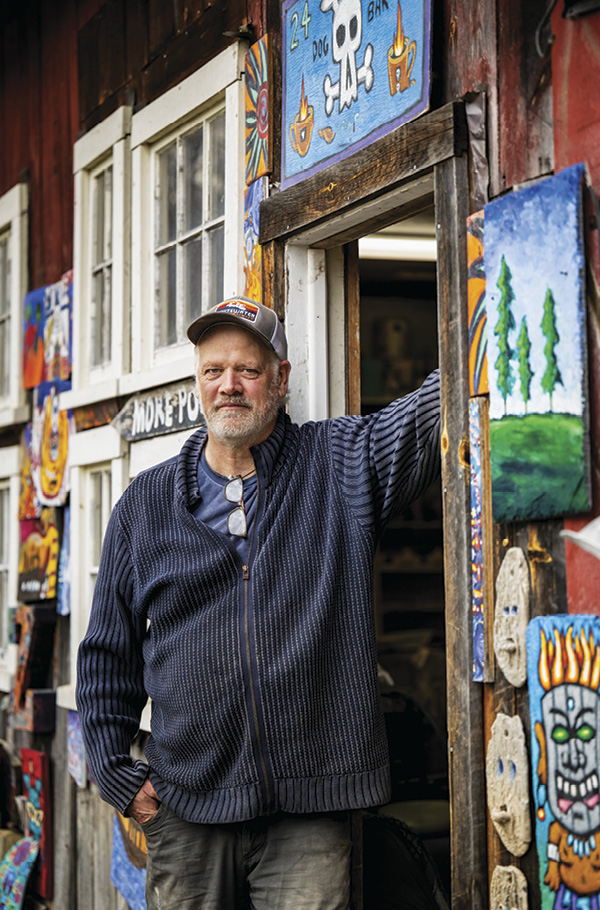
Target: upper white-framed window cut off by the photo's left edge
x: 13, y: 286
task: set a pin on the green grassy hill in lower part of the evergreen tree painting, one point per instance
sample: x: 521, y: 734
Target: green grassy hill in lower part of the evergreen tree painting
x: 538, y: 466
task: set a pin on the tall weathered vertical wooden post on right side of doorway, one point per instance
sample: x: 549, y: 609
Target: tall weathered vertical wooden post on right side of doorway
x: 465, y: 715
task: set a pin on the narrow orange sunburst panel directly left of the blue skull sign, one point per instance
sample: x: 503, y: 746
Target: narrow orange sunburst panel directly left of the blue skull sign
x: 259, y: 104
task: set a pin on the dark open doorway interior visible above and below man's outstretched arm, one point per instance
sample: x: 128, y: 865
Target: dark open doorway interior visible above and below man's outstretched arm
x: 399, y: 348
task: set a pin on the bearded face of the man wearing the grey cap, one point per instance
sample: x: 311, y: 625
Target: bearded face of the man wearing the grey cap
x: 240, y: 385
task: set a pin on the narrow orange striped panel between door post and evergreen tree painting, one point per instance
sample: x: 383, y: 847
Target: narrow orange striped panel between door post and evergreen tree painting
x: 478, y: 374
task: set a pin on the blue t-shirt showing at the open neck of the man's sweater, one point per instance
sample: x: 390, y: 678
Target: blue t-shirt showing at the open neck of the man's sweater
x: 214, y: 508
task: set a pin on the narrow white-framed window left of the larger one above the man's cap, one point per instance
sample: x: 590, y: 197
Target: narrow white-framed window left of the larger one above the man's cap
x: 101, y: 256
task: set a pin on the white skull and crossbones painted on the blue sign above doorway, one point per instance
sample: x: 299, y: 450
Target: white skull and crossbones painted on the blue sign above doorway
x: 345, y: 43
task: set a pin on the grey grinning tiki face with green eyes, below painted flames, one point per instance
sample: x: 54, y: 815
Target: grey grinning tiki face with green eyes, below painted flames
x: 571, y: 719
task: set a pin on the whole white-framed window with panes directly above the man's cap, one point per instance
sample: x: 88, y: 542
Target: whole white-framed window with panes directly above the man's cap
x: 187, y: 151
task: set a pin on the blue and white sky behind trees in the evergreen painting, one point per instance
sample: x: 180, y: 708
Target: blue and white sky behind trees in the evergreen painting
x: 539, y: 231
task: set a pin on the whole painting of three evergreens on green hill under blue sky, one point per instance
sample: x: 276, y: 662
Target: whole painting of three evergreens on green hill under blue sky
x: 535, y: 298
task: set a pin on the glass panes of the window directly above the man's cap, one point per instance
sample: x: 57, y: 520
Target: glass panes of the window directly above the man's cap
x: 189, y: 227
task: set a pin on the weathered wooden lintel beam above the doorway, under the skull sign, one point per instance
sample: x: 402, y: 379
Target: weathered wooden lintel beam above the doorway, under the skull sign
x: 407, y: 152
